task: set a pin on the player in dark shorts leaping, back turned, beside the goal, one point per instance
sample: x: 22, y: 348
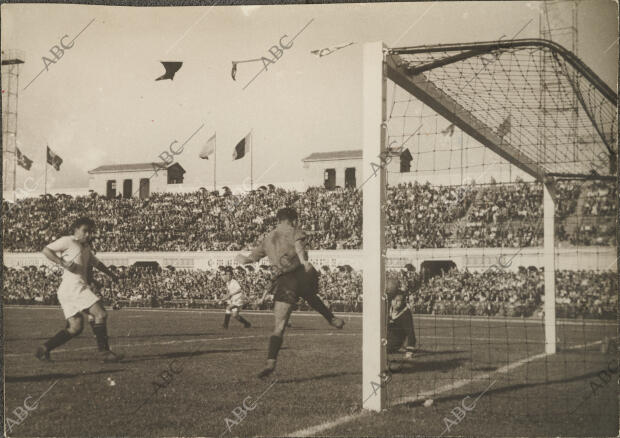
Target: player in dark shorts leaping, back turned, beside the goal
x: 294, y: 277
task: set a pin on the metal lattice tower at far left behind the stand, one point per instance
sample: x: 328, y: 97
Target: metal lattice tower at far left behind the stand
x: 11, y: 61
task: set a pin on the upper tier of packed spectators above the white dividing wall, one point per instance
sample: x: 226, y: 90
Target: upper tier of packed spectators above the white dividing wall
x: 419, y: 216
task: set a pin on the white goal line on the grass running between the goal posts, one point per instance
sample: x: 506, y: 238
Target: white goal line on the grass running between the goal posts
x: 322, y: 427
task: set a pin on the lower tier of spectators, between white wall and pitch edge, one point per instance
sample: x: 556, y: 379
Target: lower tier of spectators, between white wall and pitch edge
x: 589, y: 294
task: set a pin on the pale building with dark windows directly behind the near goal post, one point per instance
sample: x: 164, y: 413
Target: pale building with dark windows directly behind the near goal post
x: 344, y: 168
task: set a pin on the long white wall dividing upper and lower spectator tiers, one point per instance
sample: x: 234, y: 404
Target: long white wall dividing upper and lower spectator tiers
x: 474, y: 259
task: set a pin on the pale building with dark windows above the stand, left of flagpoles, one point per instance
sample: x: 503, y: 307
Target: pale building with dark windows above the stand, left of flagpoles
x: 131, y: 180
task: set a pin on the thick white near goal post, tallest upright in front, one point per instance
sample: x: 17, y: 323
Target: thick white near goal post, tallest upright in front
x: 374, y: 359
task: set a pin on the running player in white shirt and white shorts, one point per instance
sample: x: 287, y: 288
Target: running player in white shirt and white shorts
x: 73, y: 253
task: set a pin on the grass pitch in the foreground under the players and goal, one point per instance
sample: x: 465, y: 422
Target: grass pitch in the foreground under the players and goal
x: 184, y: 375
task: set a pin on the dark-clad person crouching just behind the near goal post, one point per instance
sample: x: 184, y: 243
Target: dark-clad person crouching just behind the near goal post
x: 400, y: 325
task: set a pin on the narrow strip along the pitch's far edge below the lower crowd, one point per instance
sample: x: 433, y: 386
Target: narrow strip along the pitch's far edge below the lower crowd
x: 423, y: 316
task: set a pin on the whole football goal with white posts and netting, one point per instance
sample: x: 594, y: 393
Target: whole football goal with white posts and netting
x: 497, y: 164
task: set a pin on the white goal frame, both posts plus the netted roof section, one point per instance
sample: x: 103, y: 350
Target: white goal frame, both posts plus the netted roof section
x: 524, y: 126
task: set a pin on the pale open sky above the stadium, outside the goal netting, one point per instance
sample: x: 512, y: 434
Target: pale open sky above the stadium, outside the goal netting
x: 99, y: 103
